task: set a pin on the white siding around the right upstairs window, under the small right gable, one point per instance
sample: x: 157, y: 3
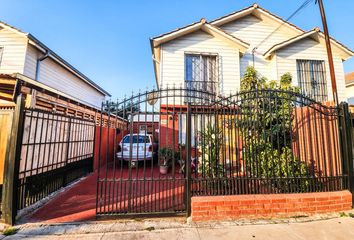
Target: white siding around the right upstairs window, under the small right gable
x: 311, y: 50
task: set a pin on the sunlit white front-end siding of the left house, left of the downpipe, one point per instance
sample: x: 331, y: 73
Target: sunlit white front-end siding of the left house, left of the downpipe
x: 14, y: 49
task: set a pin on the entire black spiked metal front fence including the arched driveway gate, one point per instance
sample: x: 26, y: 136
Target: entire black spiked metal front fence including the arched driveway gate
x: 190, y: 142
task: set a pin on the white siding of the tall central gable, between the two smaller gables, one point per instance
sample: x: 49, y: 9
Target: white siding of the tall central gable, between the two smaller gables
x: 253, y: 31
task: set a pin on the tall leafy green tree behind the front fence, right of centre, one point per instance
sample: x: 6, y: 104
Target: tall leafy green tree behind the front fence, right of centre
x: 266, y: 124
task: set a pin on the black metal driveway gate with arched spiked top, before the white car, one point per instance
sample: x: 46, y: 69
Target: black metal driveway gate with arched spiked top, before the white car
x: 144, y: 172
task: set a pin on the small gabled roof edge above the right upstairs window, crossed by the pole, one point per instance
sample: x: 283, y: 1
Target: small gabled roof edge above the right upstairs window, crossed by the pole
x: 315, y: 34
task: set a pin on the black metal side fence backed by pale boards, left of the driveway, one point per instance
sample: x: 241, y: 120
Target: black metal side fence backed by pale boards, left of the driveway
x: 56, y: 149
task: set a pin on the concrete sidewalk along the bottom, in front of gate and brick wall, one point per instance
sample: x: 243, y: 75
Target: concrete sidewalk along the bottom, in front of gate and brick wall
x: 336, y: 228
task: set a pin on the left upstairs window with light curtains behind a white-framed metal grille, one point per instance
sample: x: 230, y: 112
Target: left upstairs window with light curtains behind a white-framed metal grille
x: 201, y: 72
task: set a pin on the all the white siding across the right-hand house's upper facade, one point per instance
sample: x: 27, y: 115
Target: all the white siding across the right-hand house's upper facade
x: 253, y: 31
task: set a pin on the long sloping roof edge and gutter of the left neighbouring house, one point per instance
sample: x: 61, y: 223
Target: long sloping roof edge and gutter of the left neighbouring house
x: 42, y: 47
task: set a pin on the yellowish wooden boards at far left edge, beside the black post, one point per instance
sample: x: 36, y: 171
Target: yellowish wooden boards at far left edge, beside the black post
x: 6, y: 115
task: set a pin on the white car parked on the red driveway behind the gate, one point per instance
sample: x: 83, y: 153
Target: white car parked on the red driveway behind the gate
x: 136, y: 147
